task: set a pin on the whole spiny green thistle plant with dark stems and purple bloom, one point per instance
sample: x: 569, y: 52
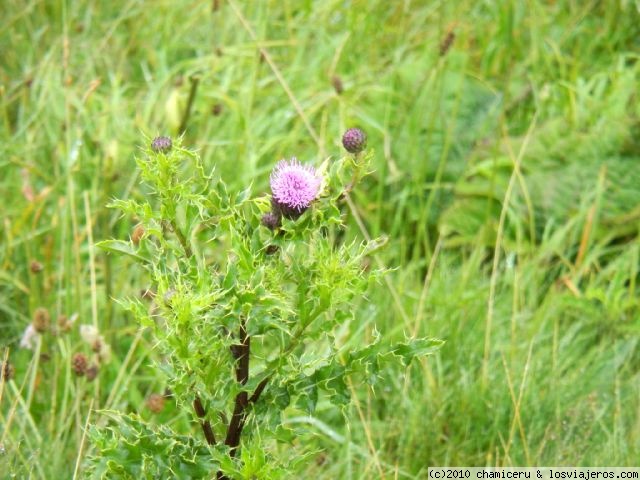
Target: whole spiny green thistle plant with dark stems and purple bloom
x: 256, y: 297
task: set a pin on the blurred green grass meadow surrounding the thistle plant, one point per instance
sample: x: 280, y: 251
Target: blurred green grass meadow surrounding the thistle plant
x: 507, y: 177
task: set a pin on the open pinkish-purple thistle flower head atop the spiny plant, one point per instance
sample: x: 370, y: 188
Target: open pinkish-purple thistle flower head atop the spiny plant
x: 294, y: 187
